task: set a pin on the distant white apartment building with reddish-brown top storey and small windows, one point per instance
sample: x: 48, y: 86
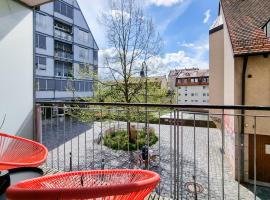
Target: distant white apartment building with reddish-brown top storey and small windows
x: 192, y: 86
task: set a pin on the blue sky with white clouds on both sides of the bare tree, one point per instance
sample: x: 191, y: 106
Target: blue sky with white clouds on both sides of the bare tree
x: 183, y: 25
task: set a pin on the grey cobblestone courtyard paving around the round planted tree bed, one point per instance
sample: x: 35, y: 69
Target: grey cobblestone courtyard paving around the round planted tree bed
x: 82, y: 140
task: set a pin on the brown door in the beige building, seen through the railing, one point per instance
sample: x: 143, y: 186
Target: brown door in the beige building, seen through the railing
x: 263, y: 157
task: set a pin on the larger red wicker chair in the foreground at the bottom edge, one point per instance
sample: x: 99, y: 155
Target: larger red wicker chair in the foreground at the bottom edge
x: 101, y: 184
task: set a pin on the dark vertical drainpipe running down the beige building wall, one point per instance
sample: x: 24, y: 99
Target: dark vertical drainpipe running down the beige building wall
x: 242, y: 136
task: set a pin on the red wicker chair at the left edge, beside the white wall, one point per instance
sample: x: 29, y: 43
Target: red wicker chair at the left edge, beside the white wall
x: 18, y: 152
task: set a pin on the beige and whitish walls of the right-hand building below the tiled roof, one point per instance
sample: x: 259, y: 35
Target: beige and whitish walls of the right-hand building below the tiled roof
x: 257, y: 93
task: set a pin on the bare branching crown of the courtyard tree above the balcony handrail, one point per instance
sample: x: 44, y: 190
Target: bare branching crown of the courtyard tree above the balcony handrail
x: 133, y: 41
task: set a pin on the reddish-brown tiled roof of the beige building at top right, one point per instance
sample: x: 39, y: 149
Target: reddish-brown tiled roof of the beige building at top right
x: 245, y: 20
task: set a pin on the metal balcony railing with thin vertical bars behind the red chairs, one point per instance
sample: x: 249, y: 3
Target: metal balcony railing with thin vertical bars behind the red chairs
x: 200, y: 152
